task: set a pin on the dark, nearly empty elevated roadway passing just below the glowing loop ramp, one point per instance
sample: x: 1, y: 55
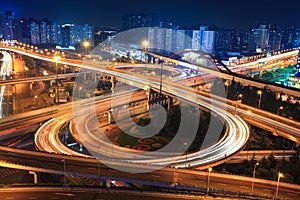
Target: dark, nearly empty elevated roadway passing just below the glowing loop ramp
x: 86, y: 167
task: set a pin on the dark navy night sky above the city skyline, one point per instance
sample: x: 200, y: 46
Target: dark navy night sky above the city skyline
x: 228, y: 13
